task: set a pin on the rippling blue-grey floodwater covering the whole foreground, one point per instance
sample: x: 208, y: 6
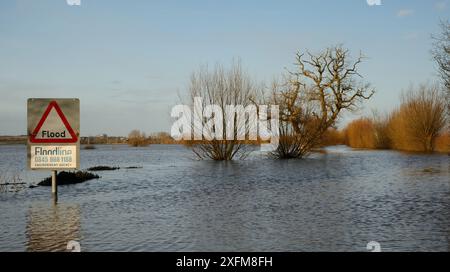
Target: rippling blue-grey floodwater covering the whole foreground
x: 337, y: 201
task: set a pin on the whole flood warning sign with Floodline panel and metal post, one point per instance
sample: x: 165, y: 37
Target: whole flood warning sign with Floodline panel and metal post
x: 53, y: 136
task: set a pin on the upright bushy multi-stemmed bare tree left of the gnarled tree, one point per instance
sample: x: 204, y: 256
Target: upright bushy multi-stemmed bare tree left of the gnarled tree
x: 221, y: 87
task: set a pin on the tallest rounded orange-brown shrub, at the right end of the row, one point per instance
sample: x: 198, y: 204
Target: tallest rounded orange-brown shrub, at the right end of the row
x: 419, y: 120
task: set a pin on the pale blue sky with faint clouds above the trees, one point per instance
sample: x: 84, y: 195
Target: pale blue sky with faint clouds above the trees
x: 127, y: 61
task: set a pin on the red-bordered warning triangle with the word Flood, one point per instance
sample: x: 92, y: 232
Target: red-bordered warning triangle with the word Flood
x: 48, y: 136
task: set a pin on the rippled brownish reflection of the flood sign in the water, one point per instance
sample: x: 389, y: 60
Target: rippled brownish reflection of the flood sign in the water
x: 50, y: 227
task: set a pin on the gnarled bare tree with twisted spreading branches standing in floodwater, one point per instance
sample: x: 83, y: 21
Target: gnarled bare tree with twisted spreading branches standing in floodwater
x: 312, y: 98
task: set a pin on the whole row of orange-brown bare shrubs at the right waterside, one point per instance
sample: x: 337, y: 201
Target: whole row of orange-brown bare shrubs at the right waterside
x: 418, y: 124
